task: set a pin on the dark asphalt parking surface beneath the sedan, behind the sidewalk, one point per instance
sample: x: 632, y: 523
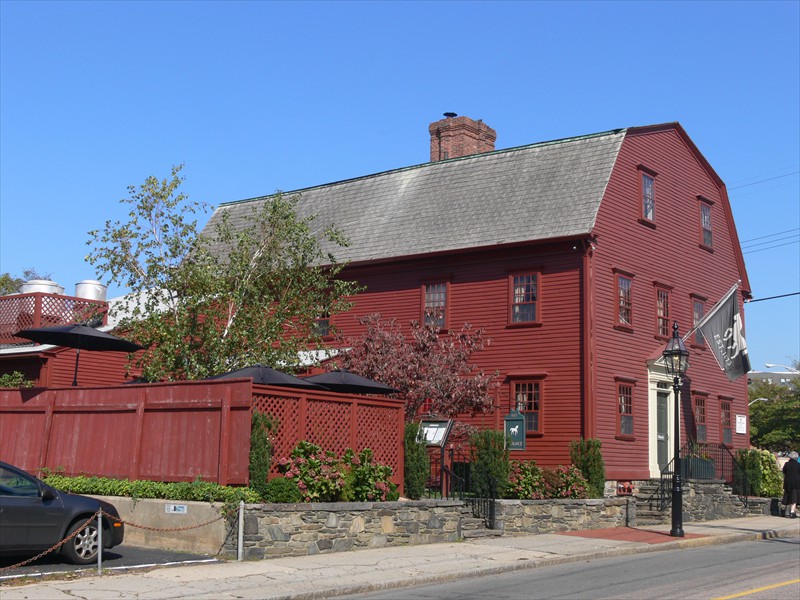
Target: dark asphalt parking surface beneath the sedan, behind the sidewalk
x: 118, y: 558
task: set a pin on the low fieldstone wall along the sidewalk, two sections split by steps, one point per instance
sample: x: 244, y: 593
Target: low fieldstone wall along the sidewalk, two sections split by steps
x: 276, y: 530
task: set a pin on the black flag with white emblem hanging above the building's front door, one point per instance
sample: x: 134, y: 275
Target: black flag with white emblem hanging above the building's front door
x: 722, y: 330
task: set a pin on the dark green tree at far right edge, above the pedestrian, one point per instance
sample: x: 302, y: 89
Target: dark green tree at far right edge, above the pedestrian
x: 775, y: 416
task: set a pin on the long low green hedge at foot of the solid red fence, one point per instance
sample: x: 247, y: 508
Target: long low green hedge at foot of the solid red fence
x: 201, y: 491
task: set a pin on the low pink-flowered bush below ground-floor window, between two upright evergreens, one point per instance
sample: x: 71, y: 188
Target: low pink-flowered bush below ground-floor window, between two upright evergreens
x: 528, y: 482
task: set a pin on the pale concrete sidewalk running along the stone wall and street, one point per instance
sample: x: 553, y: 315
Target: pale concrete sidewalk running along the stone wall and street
x: 327, y: 575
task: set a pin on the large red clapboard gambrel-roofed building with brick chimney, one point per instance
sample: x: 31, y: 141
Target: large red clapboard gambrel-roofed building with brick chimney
x: 576, y: 256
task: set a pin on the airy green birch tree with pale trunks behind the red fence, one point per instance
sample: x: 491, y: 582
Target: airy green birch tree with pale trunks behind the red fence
x: 229, y: 298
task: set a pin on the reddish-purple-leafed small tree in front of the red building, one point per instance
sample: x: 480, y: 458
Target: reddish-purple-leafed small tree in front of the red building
x: 431, y: 369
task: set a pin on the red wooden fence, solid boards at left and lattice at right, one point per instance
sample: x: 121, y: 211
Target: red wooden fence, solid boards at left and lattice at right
x: 182, y: 431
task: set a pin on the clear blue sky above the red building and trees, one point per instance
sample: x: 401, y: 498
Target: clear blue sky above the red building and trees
x: 259, y: 96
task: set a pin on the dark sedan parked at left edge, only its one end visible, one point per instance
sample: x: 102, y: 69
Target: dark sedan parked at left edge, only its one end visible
x: 34, y: 517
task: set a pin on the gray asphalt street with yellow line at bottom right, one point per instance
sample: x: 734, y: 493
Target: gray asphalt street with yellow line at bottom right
x: 762, y: 570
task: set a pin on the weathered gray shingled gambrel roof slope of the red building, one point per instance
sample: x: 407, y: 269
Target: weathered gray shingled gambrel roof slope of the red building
x: 537, y: 192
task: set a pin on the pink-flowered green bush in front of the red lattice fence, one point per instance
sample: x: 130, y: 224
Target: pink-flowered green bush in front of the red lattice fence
x: 322, y: 477
